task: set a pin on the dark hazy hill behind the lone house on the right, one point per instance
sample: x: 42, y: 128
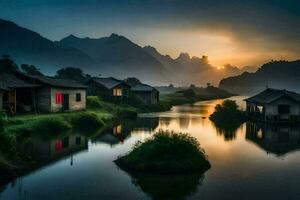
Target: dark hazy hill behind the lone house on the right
x: 275, y: 74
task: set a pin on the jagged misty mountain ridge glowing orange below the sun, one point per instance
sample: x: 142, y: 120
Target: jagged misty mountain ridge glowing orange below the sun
x: 186, y: 69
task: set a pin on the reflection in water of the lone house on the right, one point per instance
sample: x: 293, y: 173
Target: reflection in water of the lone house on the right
x: 277, y: 139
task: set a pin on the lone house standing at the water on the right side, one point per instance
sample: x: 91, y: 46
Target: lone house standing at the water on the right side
x: 274, y: 106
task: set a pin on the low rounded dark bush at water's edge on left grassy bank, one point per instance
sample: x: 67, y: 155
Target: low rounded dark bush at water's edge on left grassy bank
x: 88, y: 121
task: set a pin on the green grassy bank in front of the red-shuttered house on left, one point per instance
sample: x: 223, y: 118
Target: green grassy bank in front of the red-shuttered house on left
x: 98, y: 113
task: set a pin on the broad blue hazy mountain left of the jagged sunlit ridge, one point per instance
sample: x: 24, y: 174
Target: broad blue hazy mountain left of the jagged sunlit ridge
x: 120, y: 57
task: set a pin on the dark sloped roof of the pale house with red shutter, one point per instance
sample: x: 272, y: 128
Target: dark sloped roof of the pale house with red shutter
x: 65, y: 83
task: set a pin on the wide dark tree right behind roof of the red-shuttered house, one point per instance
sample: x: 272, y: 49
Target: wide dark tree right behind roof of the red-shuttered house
x: 72, y: 73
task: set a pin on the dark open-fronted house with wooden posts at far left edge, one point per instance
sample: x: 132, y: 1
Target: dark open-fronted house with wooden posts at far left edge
x: 16, y: 95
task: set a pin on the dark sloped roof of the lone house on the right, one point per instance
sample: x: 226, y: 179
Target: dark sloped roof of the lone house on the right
x: 269, y: 95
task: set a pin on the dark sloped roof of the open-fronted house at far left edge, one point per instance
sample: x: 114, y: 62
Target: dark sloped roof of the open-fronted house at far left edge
x: 9, y: 81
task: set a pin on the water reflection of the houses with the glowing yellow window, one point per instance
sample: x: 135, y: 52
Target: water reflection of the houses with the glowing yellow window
x: 122, y: 131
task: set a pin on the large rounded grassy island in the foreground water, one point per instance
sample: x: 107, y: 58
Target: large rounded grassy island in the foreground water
x: 166, y: 152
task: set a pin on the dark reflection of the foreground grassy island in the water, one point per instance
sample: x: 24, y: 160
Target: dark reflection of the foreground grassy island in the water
x: 162, y: 187
